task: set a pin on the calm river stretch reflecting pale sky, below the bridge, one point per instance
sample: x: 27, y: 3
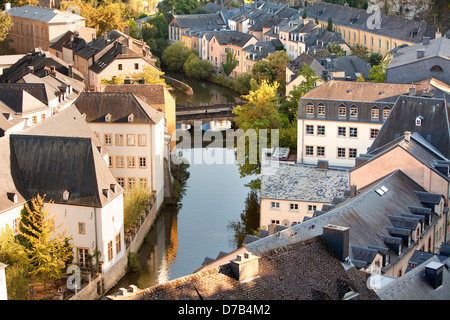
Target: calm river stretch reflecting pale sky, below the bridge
x: 215, y: 198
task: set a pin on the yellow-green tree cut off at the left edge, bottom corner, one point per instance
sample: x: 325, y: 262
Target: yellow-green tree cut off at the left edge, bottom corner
x: 12, y: 253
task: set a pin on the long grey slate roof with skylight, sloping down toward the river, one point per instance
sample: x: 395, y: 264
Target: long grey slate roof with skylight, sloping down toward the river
x: 366, y: 214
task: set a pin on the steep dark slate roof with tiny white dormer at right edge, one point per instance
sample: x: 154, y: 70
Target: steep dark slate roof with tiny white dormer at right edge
x: 435, y: 126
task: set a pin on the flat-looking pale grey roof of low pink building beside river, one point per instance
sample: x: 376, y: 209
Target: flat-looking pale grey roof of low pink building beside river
x: 303, y: 183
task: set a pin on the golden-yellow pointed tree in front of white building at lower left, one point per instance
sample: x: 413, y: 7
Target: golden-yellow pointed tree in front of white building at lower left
x: 47, y: 251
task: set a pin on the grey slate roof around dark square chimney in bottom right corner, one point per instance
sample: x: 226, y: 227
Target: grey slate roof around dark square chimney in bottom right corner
x: 413, y: 285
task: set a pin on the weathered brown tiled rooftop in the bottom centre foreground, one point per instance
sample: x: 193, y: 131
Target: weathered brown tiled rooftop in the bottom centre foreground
x: 281, y: 276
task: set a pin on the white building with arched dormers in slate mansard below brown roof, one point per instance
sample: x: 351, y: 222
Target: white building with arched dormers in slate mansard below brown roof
x: 339, y: 120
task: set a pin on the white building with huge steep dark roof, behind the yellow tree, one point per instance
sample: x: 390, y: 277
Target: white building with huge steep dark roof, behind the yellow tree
x: 61, y: 159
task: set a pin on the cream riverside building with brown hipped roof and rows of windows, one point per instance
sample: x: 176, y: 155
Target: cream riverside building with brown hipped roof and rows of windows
x: 133, y: 132
